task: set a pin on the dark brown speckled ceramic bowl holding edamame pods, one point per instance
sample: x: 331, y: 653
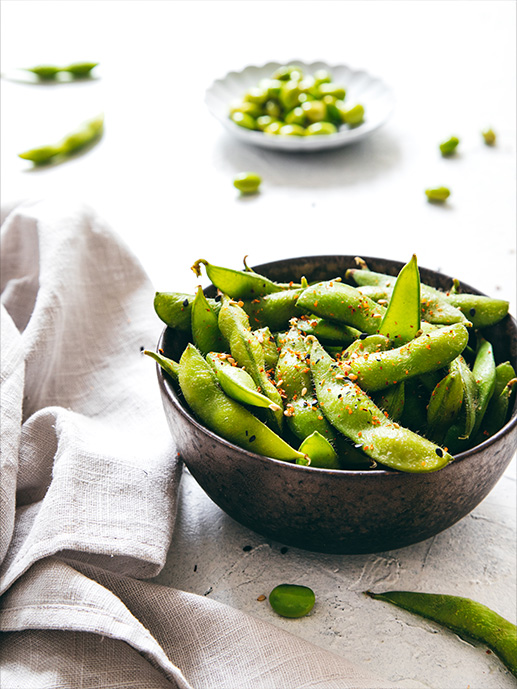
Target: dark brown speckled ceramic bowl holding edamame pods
x: 328, y: 510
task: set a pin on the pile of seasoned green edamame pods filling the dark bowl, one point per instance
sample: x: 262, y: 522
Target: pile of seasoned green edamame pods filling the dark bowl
x: 389, y: 372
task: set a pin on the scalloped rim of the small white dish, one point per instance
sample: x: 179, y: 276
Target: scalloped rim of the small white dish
x: 343, y: 136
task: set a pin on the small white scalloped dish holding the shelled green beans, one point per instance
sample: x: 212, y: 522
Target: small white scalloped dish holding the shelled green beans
x: 361, y: 87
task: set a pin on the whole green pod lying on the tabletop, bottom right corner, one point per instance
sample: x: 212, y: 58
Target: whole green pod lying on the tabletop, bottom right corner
x: 463, y: 616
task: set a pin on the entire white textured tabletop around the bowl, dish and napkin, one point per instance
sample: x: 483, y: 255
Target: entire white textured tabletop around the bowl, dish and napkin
x: 162, y: 177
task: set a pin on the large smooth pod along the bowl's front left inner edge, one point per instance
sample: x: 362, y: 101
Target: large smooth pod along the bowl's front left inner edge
x: 223, y: 415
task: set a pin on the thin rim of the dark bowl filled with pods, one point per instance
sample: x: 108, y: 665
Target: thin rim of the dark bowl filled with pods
x: 167, y: 387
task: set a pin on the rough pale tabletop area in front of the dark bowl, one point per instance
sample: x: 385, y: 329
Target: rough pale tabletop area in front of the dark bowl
x: 212, y: 555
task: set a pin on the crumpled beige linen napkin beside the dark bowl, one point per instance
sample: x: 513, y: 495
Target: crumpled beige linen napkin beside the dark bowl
x: 89, y: 486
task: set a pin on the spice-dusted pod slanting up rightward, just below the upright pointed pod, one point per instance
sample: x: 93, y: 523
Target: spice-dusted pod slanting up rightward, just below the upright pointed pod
x: 428, y: 352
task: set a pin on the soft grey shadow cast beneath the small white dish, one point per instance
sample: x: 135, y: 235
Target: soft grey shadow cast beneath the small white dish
x: 350, y: 165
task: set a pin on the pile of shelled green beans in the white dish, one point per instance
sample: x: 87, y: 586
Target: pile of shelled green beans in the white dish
x: 291, y: 103
